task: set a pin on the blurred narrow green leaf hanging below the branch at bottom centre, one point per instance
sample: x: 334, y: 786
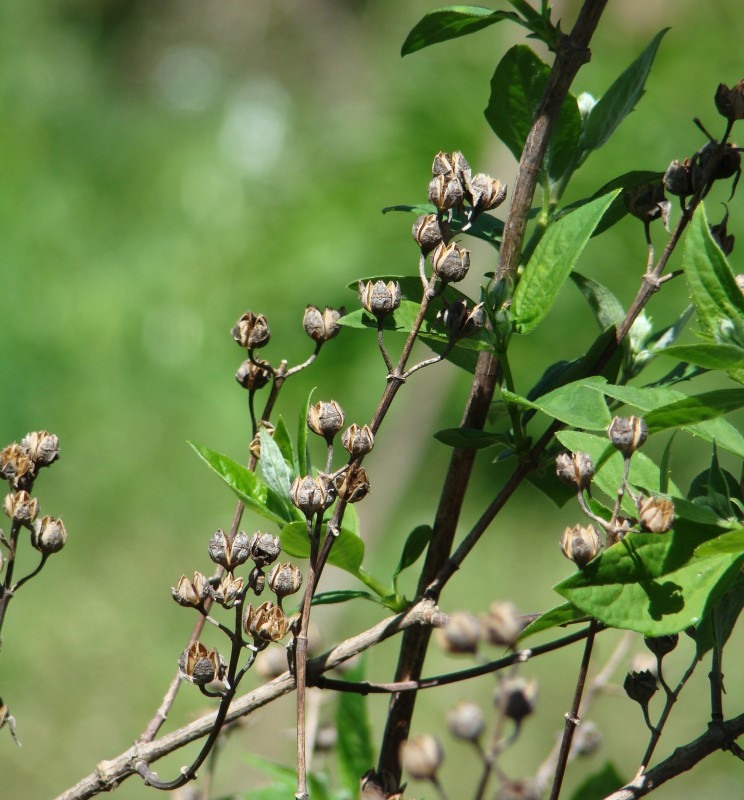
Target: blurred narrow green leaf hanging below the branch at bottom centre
x: 355, y: 751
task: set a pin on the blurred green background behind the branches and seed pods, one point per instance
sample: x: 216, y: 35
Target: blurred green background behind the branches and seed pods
x: 166, y: 166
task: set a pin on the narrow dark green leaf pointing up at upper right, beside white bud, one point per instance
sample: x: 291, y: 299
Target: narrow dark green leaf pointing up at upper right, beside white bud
x: 620, y: 99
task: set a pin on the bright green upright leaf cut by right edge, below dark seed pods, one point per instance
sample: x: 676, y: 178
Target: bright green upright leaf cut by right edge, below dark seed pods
x: 718, y: 300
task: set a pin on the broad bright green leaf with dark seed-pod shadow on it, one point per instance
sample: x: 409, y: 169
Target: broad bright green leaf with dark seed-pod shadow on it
x: 653, y: 583
